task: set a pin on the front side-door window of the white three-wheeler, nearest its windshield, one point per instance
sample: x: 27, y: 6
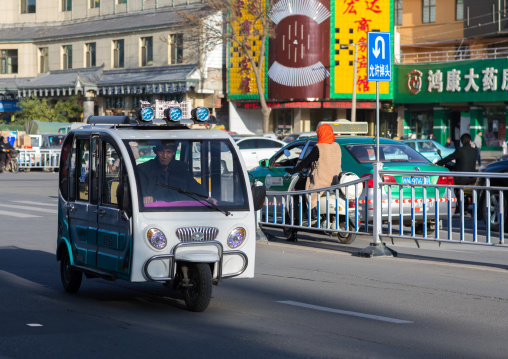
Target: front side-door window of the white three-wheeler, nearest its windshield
x: 111, y: 170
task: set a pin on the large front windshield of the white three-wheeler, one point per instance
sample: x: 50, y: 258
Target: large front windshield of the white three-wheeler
x: 188, y: 175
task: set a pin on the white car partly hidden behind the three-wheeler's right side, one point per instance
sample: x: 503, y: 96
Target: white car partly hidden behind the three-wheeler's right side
x: 255, y: 149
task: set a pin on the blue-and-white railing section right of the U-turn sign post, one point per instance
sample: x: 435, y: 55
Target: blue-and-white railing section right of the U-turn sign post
x: 464, y: 212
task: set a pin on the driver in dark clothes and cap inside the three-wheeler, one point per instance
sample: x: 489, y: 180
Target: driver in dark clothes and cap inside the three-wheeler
x: 165, y: 170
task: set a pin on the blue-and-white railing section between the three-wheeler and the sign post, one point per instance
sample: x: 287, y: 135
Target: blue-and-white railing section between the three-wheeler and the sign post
x: 283, y: 209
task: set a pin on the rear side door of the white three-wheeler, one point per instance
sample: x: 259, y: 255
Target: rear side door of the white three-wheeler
x: 82, y: 204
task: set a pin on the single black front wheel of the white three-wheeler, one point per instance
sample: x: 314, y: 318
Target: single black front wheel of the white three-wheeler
x: 197, y: 296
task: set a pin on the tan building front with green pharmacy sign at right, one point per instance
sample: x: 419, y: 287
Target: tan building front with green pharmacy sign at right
x: 453, y: 74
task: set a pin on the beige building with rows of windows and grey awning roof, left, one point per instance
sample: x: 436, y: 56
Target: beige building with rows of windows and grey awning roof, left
x: 111, y: 53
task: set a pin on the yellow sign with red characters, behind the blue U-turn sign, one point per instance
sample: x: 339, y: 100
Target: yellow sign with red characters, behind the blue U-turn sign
x: 353, y: 19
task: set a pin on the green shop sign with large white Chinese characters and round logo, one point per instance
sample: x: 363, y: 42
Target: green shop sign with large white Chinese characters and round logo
x: 457, y: 81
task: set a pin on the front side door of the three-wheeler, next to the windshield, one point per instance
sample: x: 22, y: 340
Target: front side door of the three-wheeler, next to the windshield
x: 114, y: 239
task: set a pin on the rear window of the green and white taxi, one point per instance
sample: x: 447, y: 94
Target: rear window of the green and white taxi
x: 366, y: 153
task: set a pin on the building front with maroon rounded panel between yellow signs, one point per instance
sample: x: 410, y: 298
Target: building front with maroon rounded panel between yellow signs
x: 309, y: 74
